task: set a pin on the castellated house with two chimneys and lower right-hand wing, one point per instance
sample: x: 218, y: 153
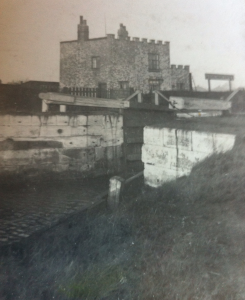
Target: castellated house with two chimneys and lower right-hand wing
x: 119, y: 63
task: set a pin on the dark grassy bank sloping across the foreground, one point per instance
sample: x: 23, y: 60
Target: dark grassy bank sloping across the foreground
x: 184, y: 241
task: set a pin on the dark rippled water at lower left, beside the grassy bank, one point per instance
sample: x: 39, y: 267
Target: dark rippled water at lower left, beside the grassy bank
x: 24, y: 210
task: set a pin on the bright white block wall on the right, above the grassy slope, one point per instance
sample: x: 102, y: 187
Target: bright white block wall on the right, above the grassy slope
x: 171, y: 153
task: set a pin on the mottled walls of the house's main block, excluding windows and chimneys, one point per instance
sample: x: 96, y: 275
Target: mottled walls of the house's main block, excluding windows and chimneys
x: 119, y: 60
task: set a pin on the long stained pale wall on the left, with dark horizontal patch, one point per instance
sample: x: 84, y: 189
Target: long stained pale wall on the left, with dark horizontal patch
x: 91, y: 144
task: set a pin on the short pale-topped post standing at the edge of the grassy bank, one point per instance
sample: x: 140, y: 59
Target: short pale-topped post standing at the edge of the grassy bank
x: 115, y: 191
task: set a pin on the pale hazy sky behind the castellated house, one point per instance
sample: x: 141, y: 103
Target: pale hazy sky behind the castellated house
x: 208, y: 35
